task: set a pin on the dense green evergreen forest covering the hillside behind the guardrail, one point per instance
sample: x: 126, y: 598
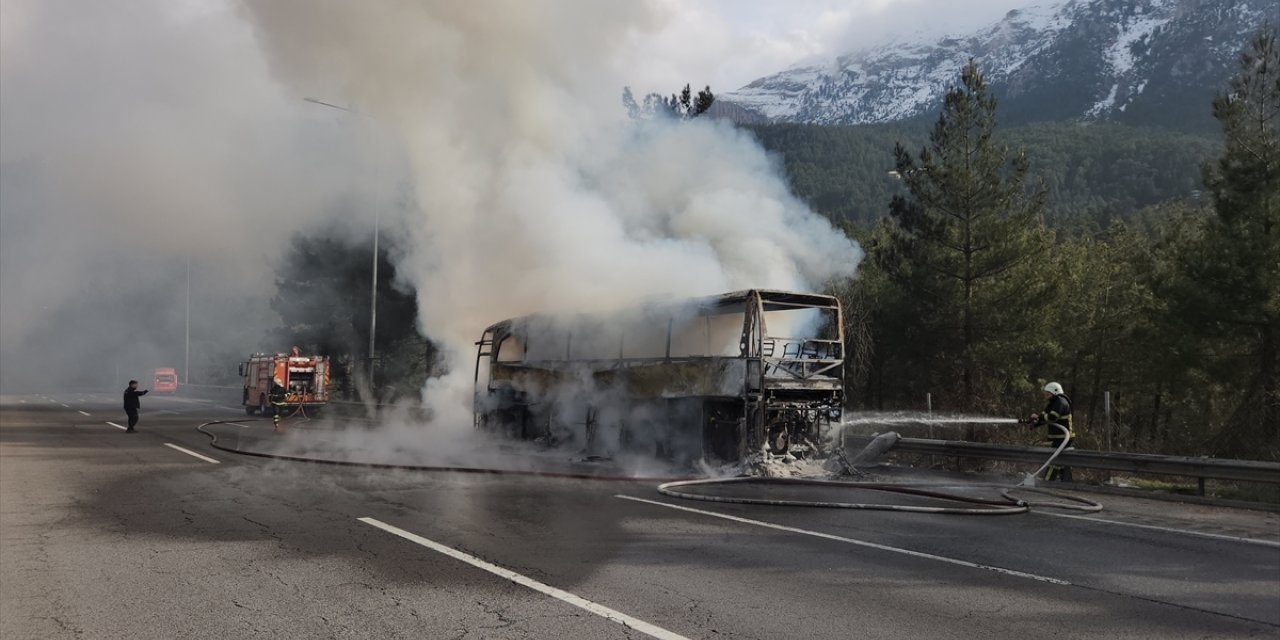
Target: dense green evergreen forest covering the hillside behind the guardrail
x: 1139, y: 263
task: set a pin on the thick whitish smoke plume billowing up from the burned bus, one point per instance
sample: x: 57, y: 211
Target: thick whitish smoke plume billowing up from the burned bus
x: 536, y: 194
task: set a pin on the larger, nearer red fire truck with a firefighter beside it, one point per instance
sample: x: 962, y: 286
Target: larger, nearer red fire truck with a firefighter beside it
x: 305, y: 380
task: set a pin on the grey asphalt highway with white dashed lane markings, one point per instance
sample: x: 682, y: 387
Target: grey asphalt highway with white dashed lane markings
x: 106, y: 534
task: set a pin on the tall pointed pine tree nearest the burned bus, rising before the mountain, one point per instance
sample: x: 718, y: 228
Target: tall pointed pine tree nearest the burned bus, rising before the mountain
x: 968, y: 250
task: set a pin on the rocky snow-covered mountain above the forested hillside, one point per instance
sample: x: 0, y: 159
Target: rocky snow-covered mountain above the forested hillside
x: 1155, y: 62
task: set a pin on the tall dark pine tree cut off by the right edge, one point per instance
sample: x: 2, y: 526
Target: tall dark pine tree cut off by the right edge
x: 1231, y: 268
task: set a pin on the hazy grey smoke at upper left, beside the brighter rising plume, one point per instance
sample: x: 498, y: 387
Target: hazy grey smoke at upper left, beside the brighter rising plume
x: 138, y: 139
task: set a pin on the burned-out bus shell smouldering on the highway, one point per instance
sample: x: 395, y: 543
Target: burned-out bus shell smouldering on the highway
x: 716, y: 380
